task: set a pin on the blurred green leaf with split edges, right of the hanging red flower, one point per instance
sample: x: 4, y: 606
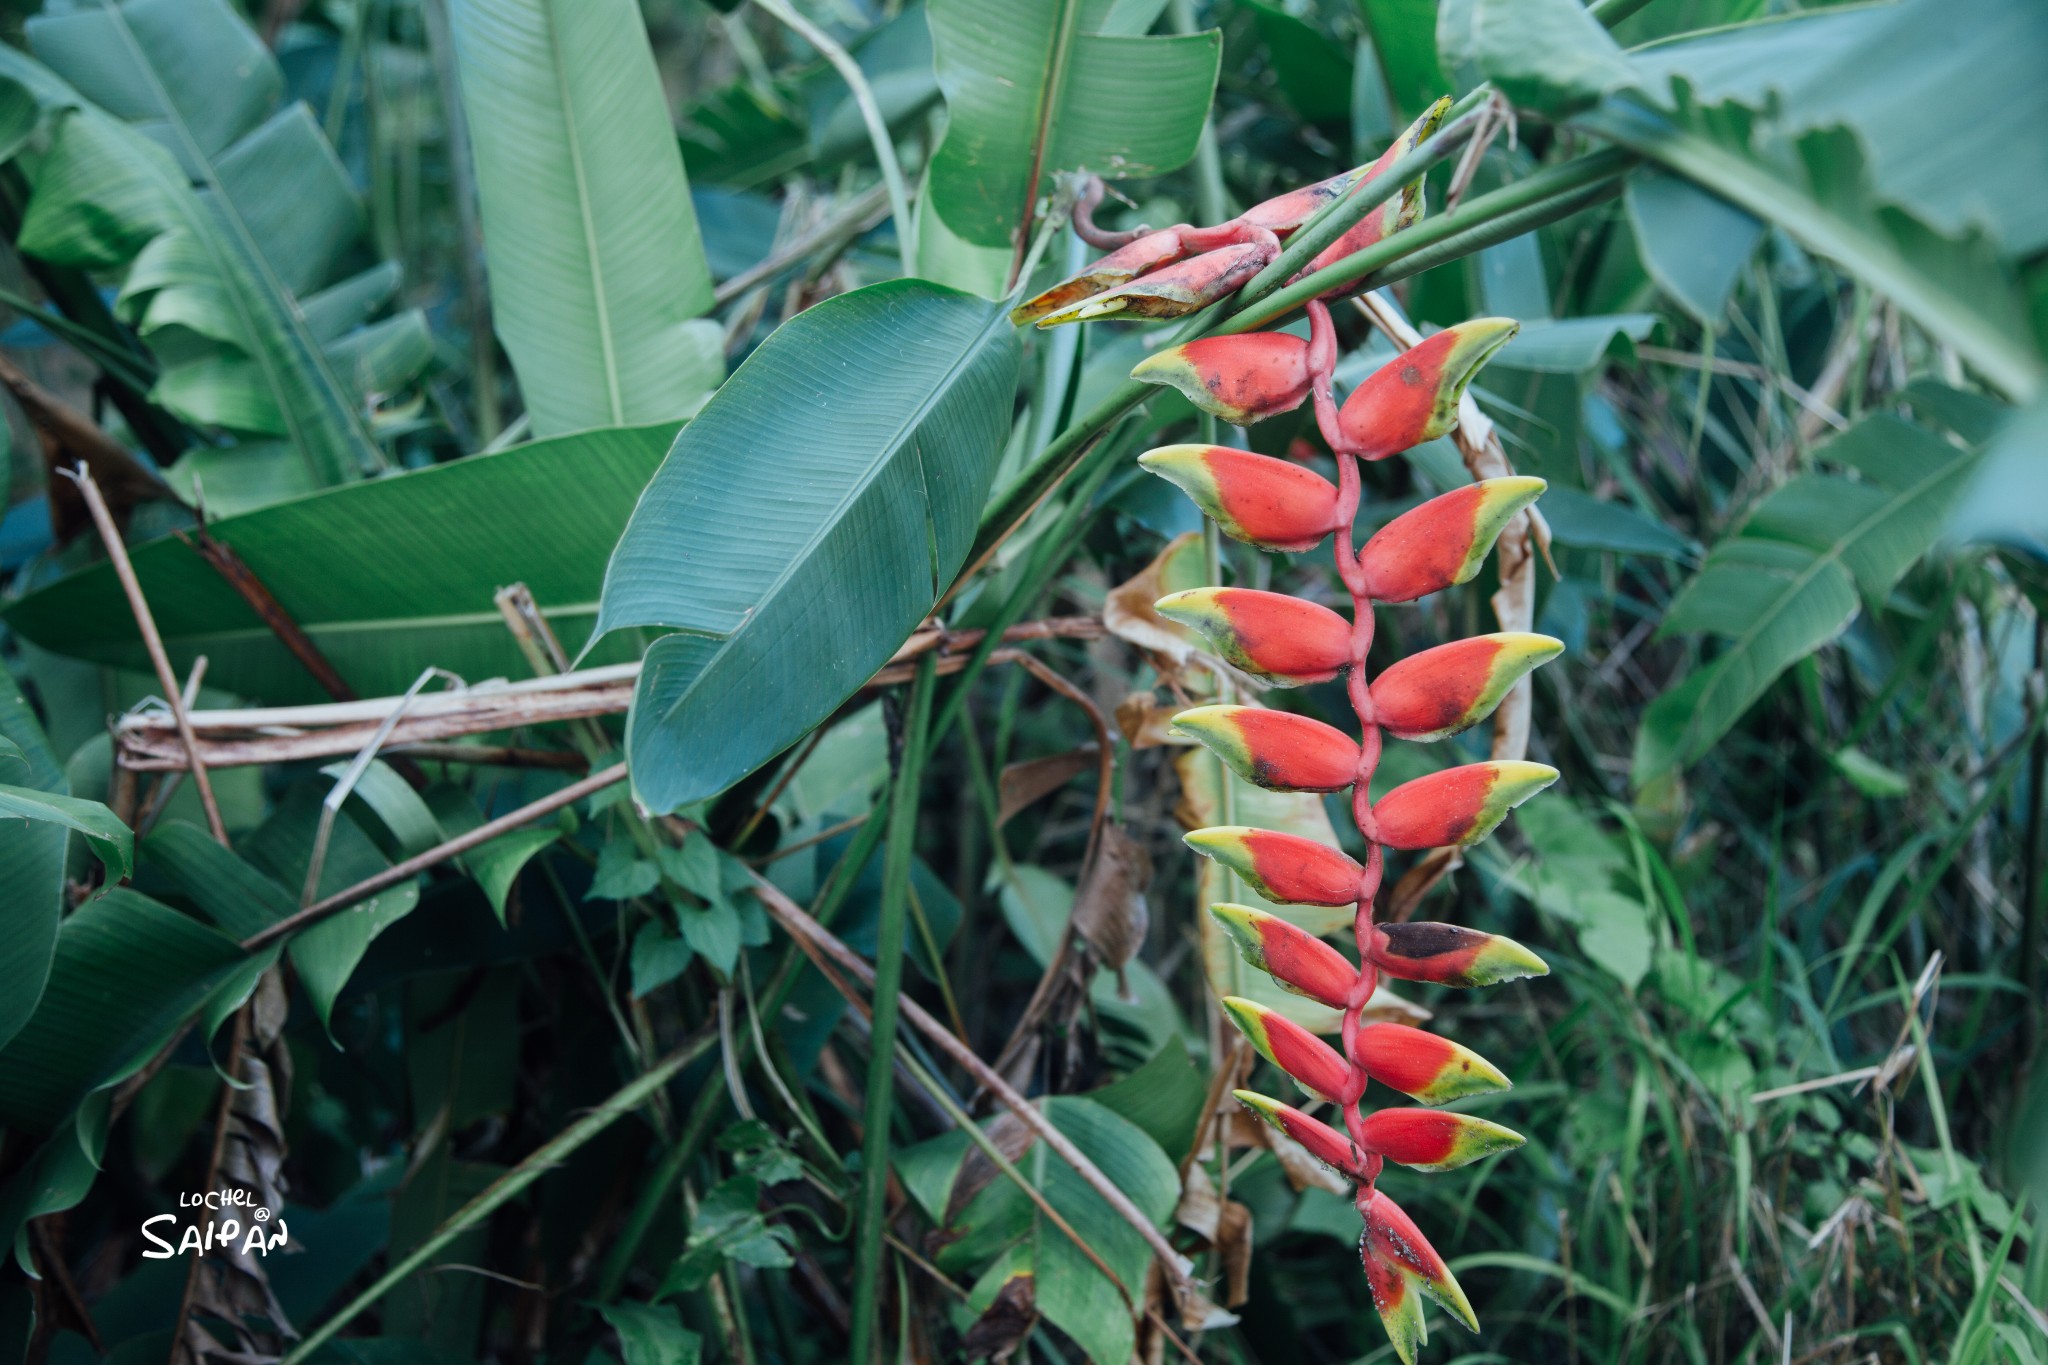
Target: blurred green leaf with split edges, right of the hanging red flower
x: 1789, y: 582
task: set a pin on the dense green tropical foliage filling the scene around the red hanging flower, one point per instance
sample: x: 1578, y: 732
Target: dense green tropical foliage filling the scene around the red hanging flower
x: 691, y: 318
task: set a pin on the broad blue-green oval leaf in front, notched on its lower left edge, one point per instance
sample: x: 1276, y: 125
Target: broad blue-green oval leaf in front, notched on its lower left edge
x: 804, y: 525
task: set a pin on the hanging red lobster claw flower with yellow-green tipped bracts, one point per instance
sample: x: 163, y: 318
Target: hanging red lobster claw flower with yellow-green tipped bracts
x: 1287, y: 642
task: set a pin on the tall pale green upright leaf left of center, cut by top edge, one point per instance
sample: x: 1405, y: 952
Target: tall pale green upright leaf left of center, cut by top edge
x: 599, y: 277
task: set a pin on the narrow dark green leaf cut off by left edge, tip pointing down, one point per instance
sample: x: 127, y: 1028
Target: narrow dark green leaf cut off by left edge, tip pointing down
x: 32, y: 867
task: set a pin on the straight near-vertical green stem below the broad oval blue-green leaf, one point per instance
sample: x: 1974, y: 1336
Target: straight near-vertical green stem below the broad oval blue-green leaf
x: 888, y: 1008
